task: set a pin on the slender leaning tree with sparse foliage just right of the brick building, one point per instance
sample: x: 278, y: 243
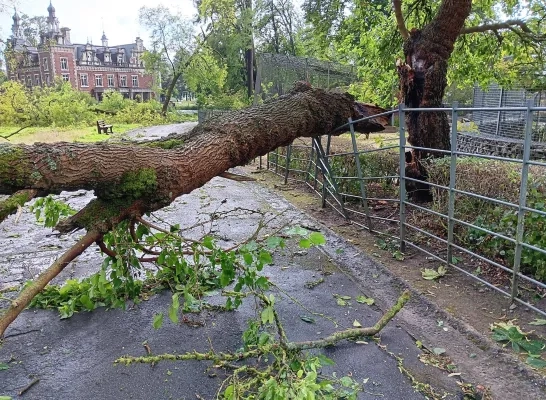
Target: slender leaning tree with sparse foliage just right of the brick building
x: 173, y: 39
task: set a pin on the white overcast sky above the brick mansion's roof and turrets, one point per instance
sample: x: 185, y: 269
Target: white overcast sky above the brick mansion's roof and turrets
x: 85, y: 19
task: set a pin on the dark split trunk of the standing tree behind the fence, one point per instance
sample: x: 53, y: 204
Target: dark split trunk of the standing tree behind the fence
x: 423, y: 79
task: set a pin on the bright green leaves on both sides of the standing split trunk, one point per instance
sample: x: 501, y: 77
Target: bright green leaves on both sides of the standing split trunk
x: 501, y: 41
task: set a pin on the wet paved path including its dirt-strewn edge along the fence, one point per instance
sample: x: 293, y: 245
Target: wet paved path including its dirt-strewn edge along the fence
x: 73, y: 358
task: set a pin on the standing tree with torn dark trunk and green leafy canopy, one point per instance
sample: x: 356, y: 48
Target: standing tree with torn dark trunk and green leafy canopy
x: 481, y: 40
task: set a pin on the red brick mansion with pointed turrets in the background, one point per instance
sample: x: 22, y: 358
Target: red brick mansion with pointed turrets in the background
x: 89, y: 68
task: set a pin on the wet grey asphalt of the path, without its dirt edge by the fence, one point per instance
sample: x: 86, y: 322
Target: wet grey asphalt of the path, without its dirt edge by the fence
x: 73, y: 358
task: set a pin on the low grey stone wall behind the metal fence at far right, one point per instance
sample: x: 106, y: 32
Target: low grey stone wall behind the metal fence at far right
x: 497, y: 146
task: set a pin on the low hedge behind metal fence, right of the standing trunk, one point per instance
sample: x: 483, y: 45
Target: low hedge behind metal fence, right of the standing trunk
x: 501, y: 181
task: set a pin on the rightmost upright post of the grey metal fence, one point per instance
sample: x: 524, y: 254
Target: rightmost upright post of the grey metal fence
x: 522, y: 199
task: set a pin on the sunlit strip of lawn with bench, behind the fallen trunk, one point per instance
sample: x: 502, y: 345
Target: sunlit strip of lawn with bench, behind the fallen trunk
x: 50, y: 135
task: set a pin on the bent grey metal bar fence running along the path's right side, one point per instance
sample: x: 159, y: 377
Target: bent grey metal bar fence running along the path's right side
x: 496, y: 224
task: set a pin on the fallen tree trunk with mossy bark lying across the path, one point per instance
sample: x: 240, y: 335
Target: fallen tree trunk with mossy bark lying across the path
x: 130, y: 180
